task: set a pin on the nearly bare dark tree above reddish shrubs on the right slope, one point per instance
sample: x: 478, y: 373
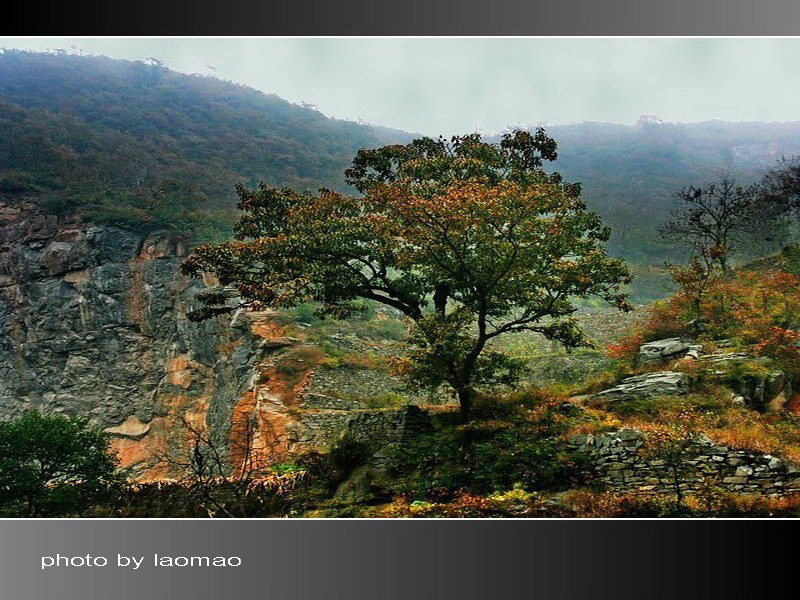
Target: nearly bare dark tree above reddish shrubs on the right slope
x: 712, y: 220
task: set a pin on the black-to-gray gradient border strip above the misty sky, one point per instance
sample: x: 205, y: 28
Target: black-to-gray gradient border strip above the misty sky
x: 440, y: 17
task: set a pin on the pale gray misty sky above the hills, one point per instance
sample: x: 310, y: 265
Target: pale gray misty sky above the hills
x: 448, y: 86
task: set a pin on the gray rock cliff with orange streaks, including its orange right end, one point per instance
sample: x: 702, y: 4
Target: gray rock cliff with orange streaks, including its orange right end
x: 93, y: 323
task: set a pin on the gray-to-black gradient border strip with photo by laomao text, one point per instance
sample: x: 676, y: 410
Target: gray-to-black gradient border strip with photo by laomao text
x: 377, y: 560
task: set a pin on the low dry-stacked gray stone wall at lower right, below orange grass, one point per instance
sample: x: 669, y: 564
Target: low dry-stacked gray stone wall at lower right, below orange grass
x: 623, y: 467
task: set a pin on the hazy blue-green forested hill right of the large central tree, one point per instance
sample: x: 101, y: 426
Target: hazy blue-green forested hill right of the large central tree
x: 631, y: 173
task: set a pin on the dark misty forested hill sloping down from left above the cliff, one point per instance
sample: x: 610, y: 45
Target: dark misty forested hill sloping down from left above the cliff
x: 134, y: 141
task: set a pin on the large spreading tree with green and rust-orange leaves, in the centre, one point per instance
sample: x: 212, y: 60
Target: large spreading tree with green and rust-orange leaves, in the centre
x: 469, y: 240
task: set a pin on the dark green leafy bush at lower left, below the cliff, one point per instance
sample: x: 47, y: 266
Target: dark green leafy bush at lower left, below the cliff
x: 53, y: 465
